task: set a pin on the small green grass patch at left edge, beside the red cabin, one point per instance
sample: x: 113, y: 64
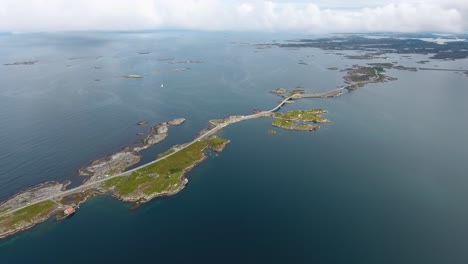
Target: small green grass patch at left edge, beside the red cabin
x: 29, y: 213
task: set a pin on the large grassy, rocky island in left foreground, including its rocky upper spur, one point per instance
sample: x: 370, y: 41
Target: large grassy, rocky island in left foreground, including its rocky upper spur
x: 165, y: 176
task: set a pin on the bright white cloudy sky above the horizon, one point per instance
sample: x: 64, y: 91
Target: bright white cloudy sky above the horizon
x: 252, y: 15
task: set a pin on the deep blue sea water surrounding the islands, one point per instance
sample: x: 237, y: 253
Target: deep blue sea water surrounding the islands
x: 386, y: 182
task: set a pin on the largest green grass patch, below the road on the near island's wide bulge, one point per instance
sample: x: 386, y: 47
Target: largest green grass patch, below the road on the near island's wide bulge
x: 165, y: 174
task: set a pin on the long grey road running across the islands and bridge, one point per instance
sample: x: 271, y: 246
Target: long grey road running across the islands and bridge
x: 212, y: 131
